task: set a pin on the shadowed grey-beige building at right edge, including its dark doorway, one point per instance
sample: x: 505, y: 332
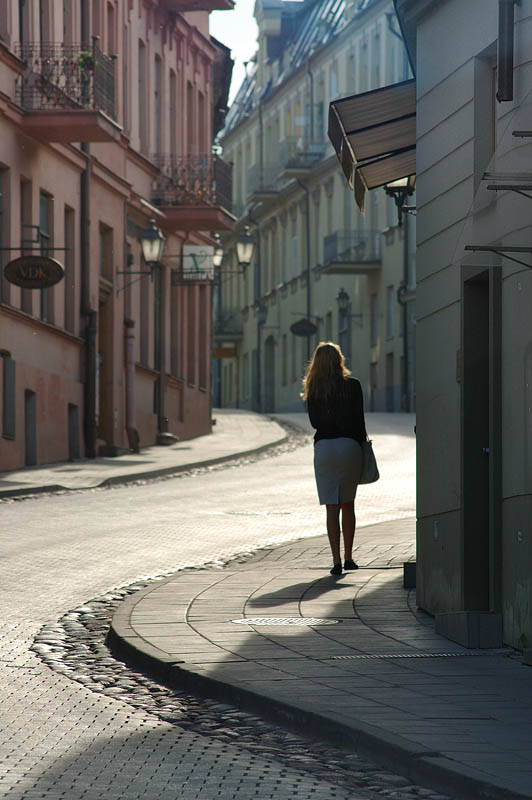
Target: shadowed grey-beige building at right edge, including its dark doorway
x: 474, y: 293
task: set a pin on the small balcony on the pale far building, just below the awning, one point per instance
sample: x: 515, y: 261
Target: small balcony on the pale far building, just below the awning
x: 352, y: 253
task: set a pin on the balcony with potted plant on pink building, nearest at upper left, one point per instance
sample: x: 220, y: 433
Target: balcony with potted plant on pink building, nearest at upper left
x: 67, y: 92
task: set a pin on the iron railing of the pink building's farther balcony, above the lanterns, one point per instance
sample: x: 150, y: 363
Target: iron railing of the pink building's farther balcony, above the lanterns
x: 193, y: 180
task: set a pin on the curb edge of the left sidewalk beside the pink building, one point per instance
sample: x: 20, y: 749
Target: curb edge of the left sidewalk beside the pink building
x: 139, y: 476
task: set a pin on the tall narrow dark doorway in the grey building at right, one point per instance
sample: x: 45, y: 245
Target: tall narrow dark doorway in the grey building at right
x: 475, y: 442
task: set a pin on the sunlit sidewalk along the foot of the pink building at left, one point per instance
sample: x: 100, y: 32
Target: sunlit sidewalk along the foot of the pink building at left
x: 236, y: 433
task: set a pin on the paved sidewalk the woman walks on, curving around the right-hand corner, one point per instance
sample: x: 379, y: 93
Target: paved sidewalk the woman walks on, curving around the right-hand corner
x: 373, y: 676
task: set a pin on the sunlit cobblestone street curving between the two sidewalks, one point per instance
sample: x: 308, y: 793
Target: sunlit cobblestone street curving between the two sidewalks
x: 59, y: 738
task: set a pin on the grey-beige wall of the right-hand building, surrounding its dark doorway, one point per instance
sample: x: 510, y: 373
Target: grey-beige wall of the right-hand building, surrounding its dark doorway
x: 455, y: 209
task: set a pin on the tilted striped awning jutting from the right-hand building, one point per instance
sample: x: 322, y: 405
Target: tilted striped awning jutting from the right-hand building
x: 374, y: 135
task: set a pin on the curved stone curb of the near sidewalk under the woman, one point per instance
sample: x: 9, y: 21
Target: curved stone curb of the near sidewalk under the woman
x: 390, y: 750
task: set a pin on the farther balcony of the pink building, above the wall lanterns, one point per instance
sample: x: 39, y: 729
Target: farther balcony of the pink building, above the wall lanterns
x: 195, y: 192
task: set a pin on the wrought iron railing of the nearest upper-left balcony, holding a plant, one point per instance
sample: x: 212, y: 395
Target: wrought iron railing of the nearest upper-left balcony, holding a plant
x: 65, y: 76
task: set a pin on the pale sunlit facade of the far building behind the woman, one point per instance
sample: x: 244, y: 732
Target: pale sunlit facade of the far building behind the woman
x: 316, y: 258
